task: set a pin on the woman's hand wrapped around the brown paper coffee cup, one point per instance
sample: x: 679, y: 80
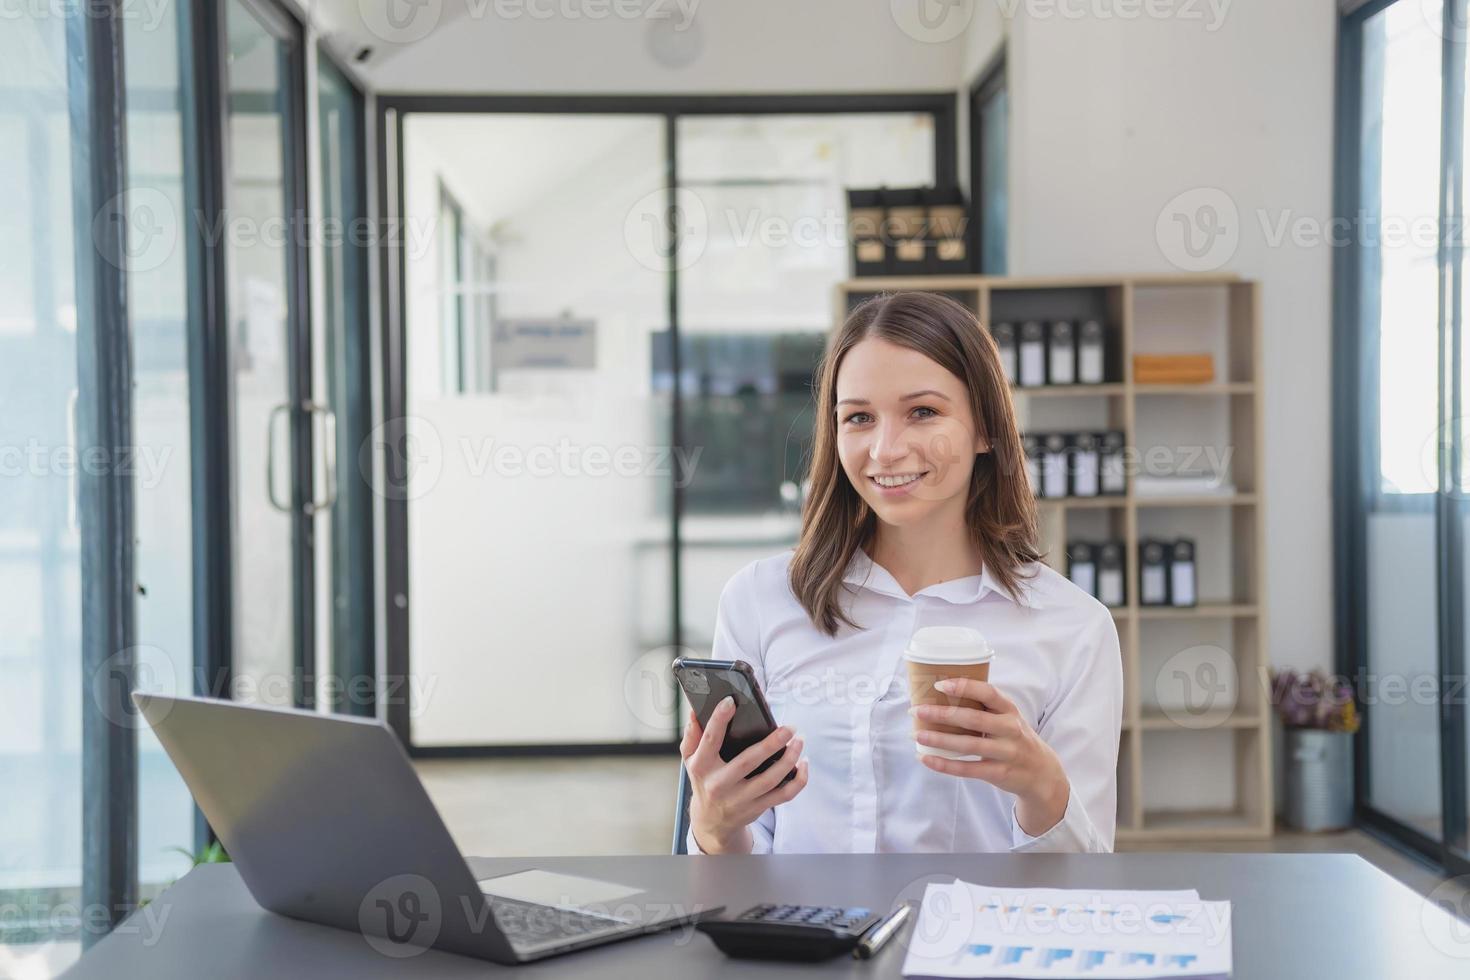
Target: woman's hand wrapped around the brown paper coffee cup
x: 1012, y: 754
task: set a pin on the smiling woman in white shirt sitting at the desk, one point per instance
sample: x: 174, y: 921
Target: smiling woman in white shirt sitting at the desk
x: 919, y: 515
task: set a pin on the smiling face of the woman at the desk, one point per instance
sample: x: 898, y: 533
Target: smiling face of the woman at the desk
x: 906, y: 433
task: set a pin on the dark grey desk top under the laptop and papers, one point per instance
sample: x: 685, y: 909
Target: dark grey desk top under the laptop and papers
x: 1297, y: 916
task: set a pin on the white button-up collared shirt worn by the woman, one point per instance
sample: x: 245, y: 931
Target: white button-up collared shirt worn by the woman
x: 1056, y: 657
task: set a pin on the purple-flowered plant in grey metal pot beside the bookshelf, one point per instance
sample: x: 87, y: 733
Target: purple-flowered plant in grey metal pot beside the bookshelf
x: 1319, y: 716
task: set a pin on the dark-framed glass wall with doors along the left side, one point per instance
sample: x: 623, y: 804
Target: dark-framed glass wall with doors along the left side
x: 140, y: 374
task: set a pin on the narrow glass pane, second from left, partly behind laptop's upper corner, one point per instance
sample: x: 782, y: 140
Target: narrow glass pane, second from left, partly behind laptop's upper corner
x: 158, y: 306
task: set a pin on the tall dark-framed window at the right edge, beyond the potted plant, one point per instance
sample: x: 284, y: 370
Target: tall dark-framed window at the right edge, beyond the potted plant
x: 1402, y: 502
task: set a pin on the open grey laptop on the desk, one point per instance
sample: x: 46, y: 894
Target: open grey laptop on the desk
x: 327, y: 822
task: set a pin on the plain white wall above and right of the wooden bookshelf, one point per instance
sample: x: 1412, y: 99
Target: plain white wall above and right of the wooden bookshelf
x: 1111, y: 121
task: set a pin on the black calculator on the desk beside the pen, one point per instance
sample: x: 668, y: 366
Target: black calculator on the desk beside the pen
x: 790, y: 932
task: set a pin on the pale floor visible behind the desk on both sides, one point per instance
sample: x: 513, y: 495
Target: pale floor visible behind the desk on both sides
x: 625, y: 806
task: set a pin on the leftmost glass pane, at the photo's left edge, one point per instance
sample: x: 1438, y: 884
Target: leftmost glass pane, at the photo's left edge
x: 40, y: 580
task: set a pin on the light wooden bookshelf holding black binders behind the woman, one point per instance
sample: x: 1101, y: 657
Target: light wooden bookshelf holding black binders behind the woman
x: 1190, y: 768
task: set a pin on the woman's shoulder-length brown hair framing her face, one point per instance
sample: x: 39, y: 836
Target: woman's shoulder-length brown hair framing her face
x: 1002, y: 509
